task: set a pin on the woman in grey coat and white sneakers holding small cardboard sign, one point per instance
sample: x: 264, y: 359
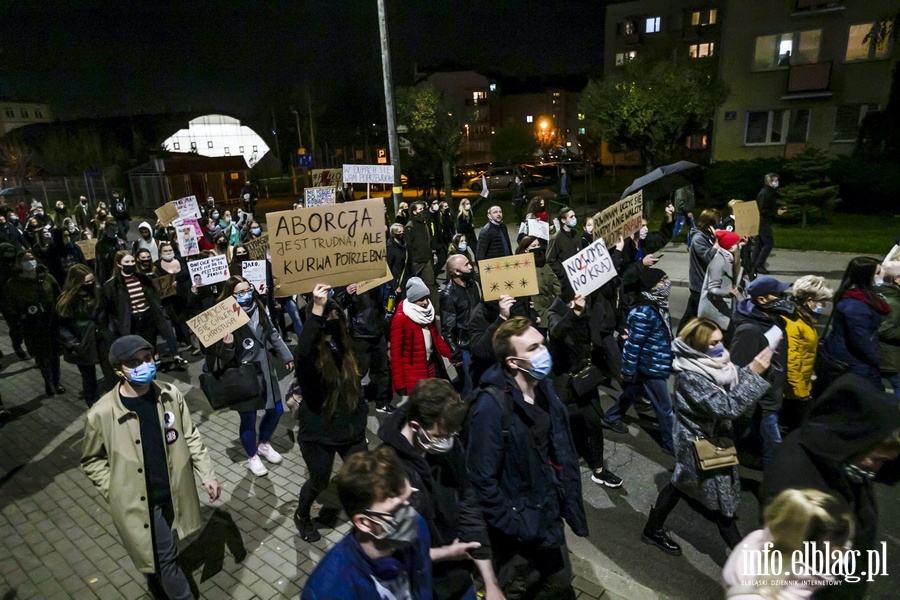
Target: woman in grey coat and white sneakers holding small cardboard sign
x: 250, y: 343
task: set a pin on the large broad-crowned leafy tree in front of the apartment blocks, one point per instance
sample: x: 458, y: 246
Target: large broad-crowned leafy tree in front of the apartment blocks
x: 649, y: 108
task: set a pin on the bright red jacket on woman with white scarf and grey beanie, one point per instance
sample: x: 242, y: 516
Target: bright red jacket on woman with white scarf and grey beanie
x: 408, y: 359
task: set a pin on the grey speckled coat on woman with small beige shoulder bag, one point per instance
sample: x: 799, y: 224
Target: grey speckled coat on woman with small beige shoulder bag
x: 703, y: 409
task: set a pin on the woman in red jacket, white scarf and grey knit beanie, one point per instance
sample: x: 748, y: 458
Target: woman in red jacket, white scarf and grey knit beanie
x: 417, y: 347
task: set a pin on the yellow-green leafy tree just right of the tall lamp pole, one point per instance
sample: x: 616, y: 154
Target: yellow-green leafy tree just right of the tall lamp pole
x: 433, y: 129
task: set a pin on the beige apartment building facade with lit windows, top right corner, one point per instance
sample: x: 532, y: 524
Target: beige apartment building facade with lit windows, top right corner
x: 801, y: 73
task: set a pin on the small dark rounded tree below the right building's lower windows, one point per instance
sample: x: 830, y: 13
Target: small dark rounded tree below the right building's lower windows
x: 810, y: 190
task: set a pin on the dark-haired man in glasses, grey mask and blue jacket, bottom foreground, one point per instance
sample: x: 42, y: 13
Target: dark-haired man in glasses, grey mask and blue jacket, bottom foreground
x: 386, y: 552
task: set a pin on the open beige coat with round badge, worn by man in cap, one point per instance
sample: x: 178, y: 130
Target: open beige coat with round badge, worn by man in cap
x: 113, y: 459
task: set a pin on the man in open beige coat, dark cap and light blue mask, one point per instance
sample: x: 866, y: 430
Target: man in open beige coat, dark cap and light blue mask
x: 149, y: 486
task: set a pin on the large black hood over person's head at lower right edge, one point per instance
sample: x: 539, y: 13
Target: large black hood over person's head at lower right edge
x: 850, y: 417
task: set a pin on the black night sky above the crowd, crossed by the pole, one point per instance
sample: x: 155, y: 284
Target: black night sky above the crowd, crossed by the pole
x: 104, y: 58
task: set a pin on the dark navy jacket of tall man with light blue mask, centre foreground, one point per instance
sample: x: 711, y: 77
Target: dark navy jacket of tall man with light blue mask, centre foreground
x: 520, y: 495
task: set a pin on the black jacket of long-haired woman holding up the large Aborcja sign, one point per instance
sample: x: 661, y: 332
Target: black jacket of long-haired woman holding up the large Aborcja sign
x: 315, y: 425
